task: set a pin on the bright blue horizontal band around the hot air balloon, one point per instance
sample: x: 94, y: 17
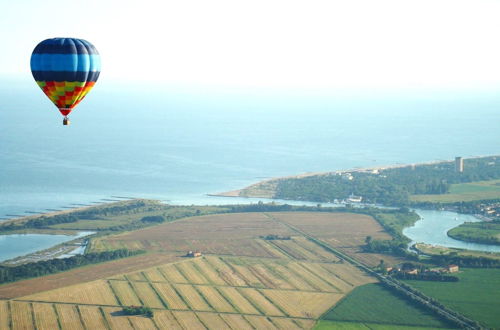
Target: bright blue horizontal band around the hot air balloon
x: 65, y: 62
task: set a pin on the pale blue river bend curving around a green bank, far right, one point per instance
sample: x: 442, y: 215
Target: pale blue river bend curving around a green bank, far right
x: 434, y: 225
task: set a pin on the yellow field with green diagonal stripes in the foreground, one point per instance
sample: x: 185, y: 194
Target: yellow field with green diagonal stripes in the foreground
x: 263, y: 301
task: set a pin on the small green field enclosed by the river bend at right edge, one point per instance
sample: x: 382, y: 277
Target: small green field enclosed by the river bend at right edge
x: 481, y: 232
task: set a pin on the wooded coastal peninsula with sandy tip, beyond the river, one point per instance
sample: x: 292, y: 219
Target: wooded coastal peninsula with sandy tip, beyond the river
x: 426, y: 184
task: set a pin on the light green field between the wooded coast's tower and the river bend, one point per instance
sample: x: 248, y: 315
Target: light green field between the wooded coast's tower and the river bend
x: 464, y: 192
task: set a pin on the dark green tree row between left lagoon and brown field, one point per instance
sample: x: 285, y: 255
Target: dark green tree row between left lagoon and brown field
x: 40, y: 268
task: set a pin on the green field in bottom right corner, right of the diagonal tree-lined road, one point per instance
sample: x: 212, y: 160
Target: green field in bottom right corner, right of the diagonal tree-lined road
x: 476, y: 295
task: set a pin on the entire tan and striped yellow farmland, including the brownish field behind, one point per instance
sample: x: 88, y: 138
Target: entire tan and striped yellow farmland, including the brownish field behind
x: 241, y: 282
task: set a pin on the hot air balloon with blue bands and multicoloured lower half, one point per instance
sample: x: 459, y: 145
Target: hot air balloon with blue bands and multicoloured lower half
x: 66, y: 69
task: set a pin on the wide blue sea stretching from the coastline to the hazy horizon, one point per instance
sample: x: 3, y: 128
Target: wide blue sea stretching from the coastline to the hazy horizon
x: 179, y: 143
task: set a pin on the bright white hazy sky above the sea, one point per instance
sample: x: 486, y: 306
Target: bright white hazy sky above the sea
x: 327, y: 44
